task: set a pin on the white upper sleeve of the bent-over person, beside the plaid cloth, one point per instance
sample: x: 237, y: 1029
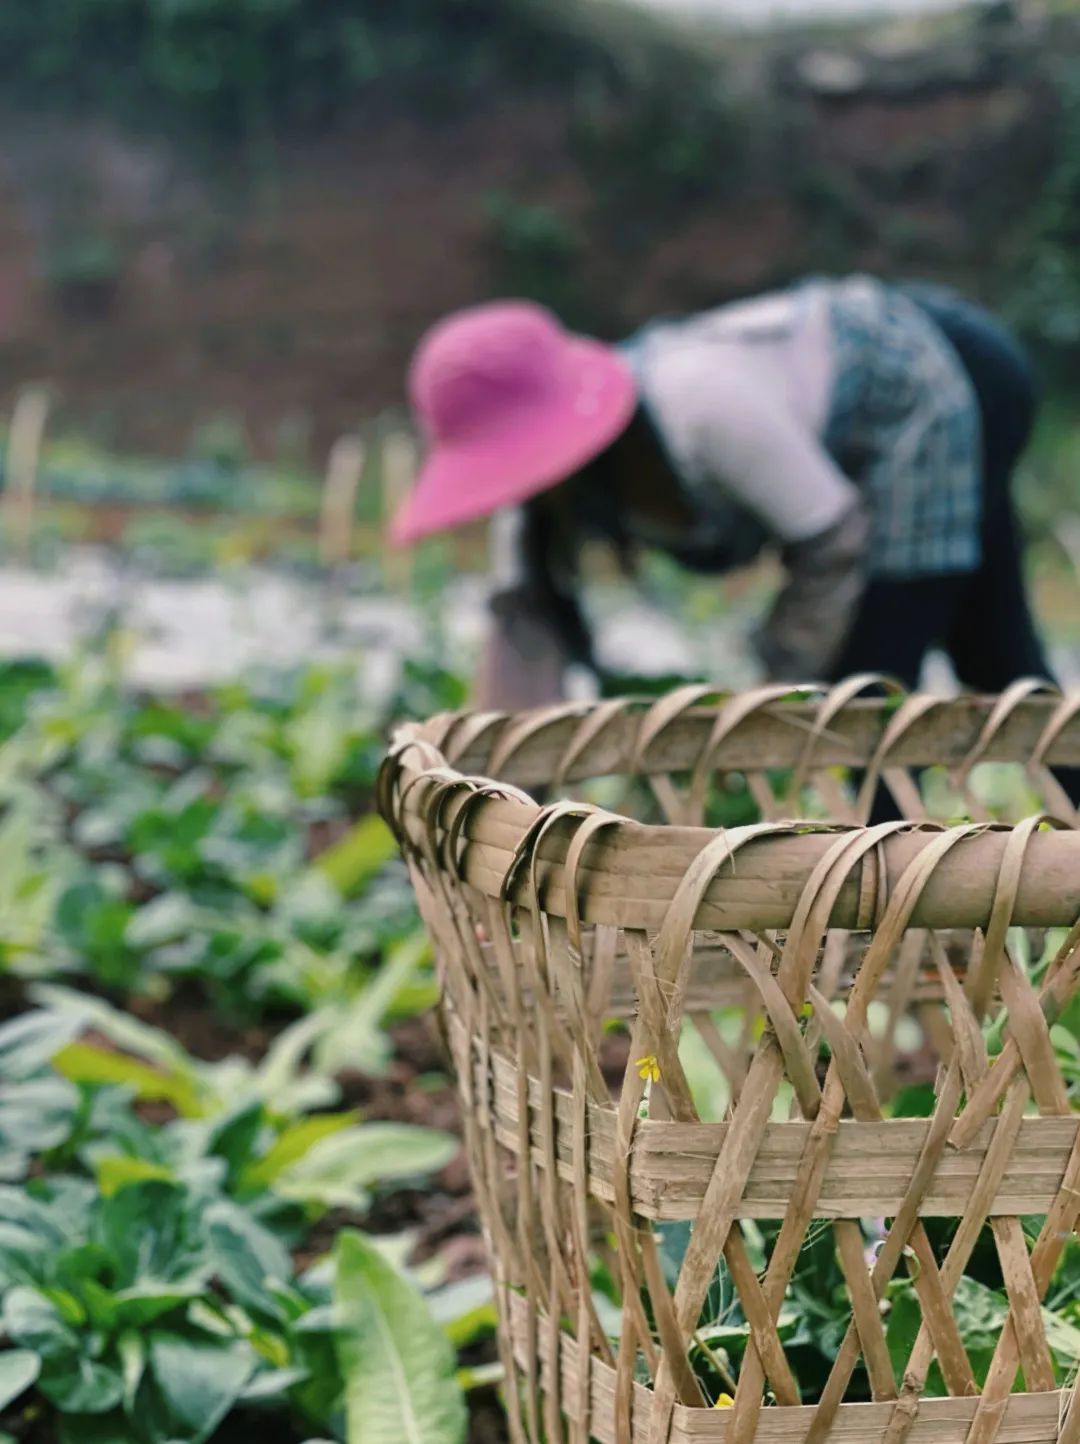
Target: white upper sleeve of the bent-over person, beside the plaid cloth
x: 733, y: 432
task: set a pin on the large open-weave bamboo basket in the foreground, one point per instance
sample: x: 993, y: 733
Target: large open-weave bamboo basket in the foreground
x: 577, y: 948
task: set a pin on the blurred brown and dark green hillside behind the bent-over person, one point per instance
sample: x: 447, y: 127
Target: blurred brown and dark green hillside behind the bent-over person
x: 253, y: 207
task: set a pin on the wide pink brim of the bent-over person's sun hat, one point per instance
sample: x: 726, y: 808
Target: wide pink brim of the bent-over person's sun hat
x: 473, y: 479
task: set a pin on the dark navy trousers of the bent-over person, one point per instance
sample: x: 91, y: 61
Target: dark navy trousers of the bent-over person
x: 983, y: 620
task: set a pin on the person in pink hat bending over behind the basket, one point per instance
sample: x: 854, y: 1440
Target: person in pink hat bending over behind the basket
x: 870, y: 432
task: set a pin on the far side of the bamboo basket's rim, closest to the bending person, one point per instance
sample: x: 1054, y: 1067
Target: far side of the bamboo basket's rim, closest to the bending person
x: 776, y: 727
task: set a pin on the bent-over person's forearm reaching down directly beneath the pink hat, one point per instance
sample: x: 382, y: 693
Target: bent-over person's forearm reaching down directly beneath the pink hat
x: 538, y: 629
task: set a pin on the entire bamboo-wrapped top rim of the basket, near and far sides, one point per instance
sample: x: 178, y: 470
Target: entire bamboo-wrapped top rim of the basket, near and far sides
x: 503, y: 843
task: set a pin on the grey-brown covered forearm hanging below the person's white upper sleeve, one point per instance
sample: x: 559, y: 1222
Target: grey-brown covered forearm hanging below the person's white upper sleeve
x: 812, y: 619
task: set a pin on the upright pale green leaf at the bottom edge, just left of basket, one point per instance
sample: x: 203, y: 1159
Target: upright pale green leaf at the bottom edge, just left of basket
x: 398, y: 1365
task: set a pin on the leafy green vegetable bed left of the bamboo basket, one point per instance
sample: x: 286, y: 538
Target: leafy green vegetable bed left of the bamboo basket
x: 233, y: 1198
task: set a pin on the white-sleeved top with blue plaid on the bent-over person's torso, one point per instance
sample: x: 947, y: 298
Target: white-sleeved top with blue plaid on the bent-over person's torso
x: 773, y: 430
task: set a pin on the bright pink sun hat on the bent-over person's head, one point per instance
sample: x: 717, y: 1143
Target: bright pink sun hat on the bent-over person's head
x: 509, y: 404
